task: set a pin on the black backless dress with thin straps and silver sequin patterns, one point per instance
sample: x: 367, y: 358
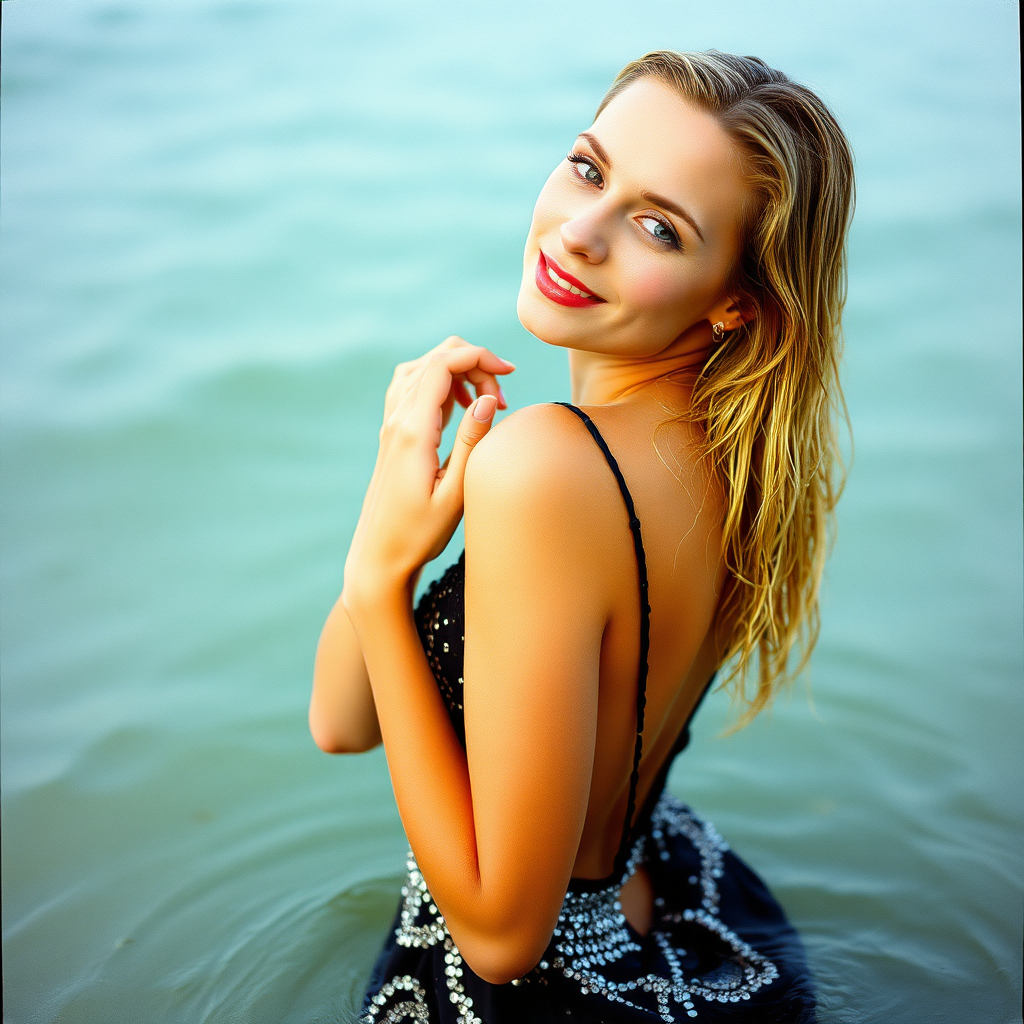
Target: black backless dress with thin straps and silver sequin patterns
x: 720, y: 948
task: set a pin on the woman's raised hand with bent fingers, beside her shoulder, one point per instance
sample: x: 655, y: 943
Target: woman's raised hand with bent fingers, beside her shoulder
x: 414, y: 504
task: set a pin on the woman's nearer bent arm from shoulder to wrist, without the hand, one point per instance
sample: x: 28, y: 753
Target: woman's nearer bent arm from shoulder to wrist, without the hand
x: 496, y: 829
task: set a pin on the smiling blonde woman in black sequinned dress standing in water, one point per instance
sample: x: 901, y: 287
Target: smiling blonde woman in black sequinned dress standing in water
x: 690, y: 254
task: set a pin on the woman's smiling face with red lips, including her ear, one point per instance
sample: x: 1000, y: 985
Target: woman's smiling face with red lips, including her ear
x: 644, y: 219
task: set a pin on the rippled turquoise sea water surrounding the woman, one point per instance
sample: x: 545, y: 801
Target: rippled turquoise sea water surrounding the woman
x: 223, y: 224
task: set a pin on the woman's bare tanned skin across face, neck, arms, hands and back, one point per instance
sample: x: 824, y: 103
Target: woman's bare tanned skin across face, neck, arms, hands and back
x: 648, y: 218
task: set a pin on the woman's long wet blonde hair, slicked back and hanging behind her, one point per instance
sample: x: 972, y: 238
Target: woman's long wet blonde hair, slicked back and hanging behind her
x: 770, y: 397
